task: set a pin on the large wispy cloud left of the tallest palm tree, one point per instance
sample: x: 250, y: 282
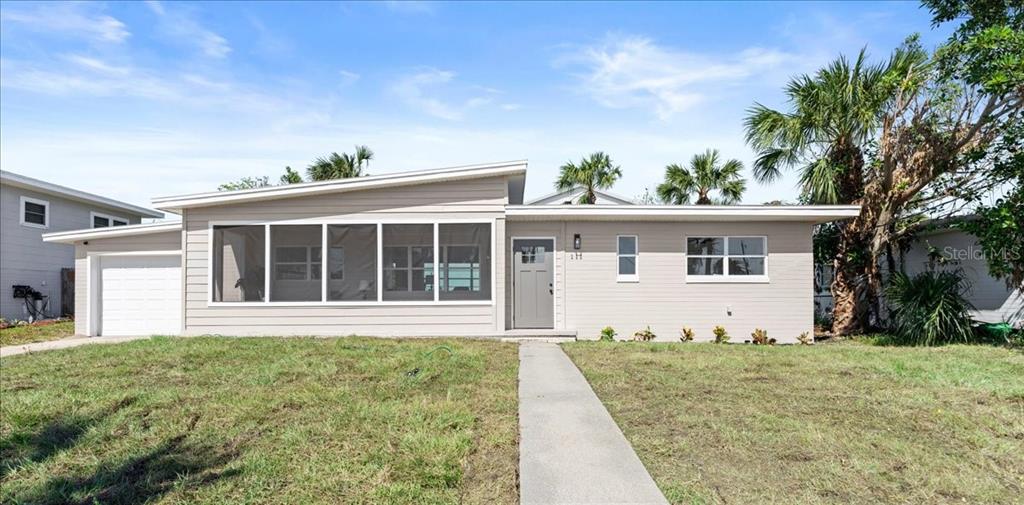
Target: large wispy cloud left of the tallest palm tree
x: 634, y: 72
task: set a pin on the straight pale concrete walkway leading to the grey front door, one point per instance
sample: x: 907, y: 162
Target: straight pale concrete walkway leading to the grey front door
x: 571, y: 450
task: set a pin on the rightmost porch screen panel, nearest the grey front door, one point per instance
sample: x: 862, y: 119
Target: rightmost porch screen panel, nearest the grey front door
x: 465, y: 262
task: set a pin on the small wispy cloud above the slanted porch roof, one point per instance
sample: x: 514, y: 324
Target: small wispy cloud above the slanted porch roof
x: 418, y: 91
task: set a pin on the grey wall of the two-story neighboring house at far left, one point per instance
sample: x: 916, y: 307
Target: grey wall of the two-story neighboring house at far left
x: 25, y: 259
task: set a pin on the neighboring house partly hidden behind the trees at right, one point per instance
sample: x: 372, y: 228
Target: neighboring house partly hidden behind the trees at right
x: 943, y: 247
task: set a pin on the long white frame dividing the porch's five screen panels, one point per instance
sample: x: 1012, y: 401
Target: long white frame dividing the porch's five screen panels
x: 493, y: 223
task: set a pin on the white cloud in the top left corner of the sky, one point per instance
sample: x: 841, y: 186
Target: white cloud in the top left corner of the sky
x: 74, y: 20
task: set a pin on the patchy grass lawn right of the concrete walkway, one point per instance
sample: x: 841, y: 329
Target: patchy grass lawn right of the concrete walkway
x: 836, y: 424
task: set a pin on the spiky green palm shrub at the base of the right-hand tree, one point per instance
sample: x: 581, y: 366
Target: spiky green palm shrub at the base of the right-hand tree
x: 930, y: 309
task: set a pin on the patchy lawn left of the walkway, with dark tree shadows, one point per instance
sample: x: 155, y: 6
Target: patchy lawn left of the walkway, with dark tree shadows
x: 262, y: 420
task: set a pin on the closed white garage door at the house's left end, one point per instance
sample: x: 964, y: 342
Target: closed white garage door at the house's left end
x: 141, y: 296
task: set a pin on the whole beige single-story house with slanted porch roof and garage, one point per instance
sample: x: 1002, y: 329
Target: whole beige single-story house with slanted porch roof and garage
x: 447, y: 252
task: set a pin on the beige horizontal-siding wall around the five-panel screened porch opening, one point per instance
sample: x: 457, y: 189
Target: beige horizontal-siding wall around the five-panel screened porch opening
x: 483, y: 200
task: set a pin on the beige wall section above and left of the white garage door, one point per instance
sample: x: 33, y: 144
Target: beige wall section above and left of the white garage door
x: 168, y: 241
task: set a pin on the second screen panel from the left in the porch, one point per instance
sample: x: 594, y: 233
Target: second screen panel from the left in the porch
x: 291, y: 254
